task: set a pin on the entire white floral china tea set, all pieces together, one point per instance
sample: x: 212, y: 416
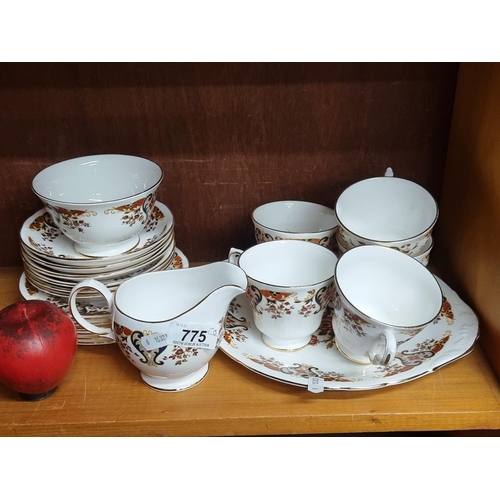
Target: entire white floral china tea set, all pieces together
x: 353, y: 279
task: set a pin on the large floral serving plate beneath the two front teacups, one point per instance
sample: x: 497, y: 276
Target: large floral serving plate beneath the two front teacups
x: 449, y: 338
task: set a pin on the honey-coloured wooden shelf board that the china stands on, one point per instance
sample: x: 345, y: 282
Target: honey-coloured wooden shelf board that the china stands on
x: 103, y: 395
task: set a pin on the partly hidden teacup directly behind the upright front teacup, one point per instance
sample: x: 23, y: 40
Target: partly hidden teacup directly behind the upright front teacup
x: 295, y: 220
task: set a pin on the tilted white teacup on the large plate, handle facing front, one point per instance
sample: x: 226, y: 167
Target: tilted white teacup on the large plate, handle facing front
x: 382, y: 298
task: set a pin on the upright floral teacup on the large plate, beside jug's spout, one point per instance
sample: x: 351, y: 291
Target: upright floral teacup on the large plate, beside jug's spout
x: 289, y: 286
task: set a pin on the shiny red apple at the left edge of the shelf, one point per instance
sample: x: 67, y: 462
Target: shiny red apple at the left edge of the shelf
x: 38, y: 343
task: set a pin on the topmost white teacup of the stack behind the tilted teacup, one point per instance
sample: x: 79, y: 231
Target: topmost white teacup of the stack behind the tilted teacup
x: 387, y: 211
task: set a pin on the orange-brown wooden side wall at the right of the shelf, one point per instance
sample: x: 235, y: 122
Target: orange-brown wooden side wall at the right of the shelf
x: 467, y: 234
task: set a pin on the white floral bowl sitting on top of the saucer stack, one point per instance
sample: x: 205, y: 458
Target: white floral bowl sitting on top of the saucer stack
x: 100, y: 202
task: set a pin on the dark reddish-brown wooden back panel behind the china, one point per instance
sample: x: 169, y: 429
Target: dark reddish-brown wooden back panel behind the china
x: 229, y: 137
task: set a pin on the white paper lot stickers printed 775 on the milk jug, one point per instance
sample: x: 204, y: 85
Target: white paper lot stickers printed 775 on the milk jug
x: 184, y: 335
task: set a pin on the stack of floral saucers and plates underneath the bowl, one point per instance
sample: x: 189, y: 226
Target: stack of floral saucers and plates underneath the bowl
x: 52, y: 267
